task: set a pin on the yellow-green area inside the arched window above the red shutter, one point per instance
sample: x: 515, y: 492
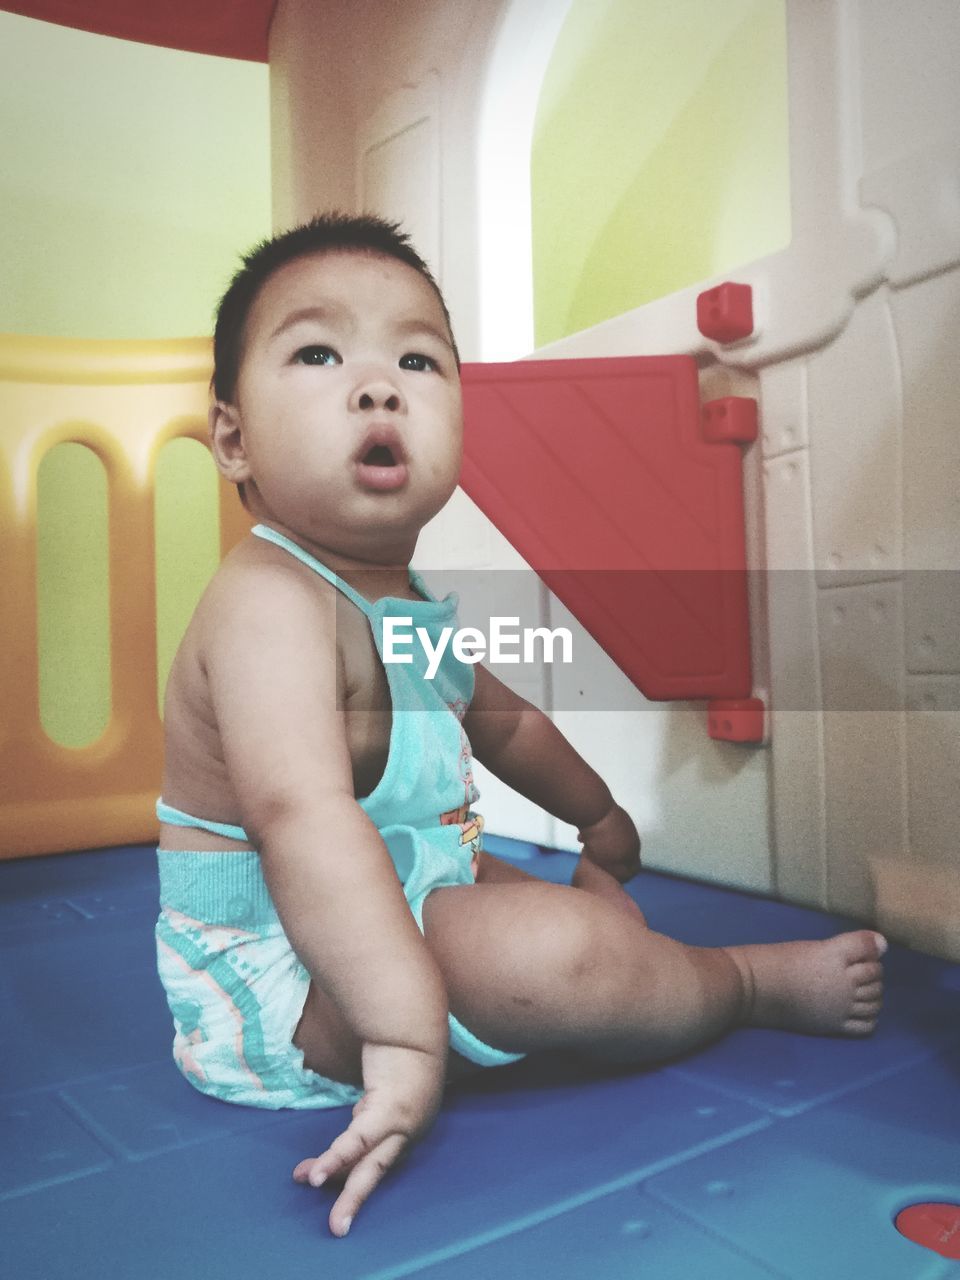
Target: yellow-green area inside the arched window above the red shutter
x: 660, y: 156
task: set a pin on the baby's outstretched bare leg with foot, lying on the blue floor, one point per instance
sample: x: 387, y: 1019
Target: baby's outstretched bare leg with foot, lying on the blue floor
x: 533, y: 967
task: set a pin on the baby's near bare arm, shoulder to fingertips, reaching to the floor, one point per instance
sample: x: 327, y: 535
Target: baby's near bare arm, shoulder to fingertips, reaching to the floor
x: 272, y: 664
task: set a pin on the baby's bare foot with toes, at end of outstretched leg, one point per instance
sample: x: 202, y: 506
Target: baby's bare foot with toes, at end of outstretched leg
x: 824, y: 989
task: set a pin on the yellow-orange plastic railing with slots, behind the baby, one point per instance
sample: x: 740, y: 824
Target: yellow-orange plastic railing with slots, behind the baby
x: 125, y: 401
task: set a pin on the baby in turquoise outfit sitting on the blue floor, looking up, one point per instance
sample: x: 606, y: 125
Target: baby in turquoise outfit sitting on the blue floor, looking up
x: 332, y: 931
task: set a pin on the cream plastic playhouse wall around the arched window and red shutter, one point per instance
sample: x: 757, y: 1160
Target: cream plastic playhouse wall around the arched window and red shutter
x: 853, y: 511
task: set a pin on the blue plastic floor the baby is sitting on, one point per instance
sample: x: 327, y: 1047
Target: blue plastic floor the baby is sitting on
x: 769, y: 1155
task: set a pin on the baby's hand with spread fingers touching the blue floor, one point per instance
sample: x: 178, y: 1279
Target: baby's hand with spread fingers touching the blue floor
x: 403, y: 1094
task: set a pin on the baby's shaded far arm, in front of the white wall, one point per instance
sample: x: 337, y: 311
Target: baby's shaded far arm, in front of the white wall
x: 527, y: 751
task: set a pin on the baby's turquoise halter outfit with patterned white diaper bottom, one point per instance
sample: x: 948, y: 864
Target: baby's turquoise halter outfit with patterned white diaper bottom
x: 235, y: 986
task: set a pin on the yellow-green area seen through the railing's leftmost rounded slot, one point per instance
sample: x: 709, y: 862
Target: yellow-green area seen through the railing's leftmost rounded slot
x: 74, y: 619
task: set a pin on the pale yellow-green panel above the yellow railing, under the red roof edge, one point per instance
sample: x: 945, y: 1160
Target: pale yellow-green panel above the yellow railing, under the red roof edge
x: 131, y: 177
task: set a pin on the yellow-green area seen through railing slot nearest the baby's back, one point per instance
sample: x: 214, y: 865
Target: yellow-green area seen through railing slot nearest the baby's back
x: 188, y: 524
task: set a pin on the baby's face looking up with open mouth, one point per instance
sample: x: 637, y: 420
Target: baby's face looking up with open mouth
x: 349, y: 399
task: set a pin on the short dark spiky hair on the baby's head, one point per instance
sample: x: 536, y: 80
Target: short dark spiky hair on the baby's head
x: 362, y: 234
